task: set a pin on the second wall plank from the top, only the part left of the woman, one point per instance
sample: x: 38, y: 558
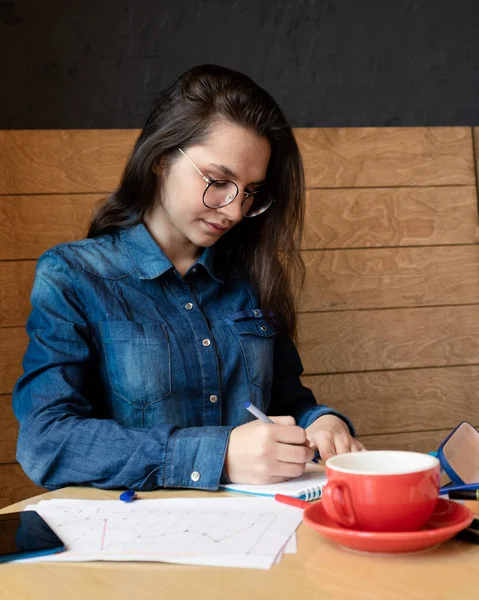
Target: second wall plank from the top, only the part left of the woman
x: 29, y: 225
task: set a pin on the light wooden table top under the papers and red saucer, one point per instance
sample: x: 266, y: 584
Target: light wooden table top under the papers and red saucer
x: 320, y: 570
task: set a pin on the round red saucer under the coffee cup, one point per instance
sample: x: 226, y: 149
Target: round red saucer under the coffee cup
x: 447, y: 519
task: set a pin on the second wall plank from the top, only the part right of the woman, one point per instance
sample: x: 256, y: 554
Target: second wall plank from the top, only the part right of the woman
x: 352, y: 218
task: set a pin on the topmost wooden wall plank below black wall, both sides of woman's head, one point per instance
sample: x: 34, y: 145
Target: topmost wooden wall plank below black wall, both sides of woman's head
x: 66, y: 161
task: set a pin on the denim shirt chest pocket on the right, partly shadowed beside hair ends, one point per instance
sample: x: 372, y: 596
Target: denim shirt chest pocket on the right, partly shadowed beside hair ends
x: 256, y: 336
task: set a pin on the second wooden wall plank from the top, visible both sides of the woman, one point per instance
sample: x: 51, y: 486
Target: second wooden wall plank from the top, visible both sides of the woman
x: 334, y: 219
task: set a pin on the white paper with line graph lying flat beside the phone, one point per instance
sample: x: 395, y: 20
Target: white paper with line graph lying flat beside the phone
x: 223, y: 532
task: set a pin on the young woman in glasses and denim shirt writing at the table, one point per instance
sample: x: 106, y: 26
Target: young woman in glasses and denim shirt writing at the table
x: 148, y: 337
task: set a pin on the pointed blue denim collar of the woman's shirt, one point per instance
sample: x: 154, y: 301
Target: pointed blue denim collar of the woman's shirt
x: 149, y: 259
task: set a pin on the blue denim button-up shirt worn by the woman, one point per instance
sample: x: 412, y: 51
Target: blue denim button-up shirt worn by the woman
x: 134, y: 375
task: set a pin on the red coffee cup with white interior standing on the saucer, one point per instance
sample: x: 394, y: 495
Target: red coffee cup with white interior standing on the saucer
x: 381, y: 490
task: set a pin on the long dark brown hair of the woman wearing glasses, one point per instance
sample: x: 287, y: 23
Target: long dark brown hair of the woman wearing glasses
x: 266, y: 246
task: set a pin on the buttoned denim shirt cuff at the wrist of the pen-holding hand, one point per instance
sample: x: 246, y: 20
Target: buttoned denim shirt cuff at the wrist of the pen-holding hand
x: 195, y: 457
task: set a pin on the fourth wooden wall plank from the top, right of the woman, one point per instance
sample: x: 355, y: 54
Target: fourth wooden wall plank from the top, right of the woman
x: 369, y: 340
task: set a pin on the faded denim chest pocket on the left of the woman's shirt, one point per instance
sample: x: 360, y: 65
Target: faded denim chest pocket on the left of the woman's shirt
x: 138, y: 360
